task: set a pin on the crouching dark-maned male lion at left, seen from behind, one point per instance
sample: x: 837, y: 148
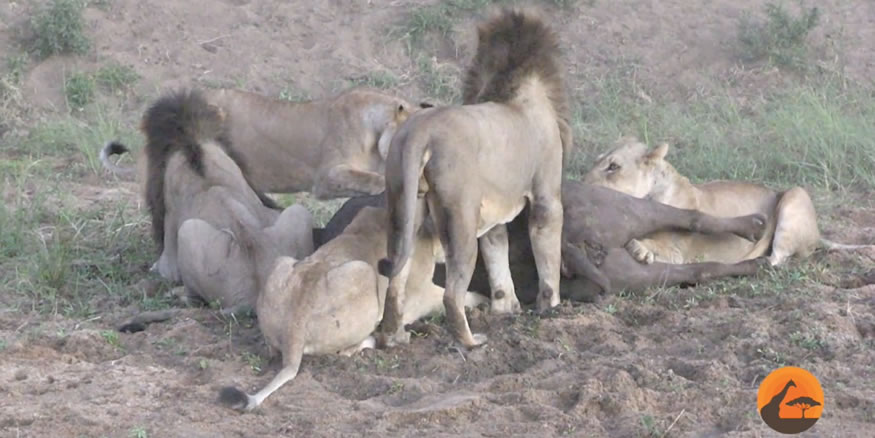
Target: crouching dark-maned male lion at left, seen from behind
x: 195, y: 191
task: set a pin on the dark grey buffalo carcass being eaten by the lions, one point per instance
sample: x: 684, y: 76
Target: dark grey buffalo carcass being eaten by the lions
x: 598, y: 224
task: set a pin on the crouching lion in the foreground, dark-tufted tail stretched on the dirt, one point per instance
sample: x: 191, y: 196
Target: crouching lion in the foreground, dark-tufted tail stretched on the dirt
x: 331, y: 301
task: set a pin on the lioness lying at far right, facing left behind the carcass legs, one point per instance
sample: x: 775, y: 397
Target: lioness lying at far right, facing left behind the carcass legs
x: 792, y: 222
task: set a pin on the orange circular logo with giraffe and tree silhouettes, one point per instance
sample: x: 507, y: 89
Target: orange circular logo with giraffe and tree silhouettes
x: 790, y: 400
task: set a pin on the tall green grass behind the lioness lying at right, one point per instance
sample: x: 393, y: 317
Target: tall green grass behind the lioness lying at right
x: 816, y: 135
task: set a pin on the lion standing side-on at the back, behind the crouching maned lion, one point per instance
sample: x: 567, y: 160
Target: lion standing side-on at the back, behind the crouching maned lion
x: 332, y: 148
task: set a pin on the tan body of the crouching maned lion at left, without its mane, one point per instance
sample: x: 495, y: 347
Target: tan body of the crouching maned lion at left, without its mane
x: 200, y: 250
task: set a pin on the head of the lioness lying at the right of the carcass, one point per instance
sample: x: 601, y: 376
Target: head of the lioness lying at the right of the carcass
x: 629, y: 168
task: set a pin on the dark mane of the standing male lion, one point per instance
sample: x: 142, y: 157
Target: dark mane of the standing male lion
x: 512, y: 47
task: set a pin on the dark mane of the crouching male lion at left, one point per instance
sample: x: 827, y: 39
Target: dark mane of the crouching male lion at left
x: 180, y: 122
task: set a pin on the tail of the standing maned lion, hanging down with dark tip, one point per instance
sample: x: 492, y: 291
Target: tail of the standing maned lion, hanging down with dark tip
x: 414, y: 155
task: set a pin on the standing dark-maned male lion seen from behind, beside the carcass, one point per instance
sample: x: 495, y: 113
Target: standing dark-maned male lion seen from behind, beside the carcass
x: 477, y: 165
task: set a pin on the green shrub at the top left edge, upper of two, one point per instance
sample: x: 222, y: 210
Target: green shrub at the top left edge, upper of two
x: 60, y: 29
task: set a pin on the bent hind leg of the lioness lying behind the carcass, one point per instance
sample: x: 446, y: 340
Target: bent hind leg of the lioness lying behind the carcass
x: 796, y: 230
